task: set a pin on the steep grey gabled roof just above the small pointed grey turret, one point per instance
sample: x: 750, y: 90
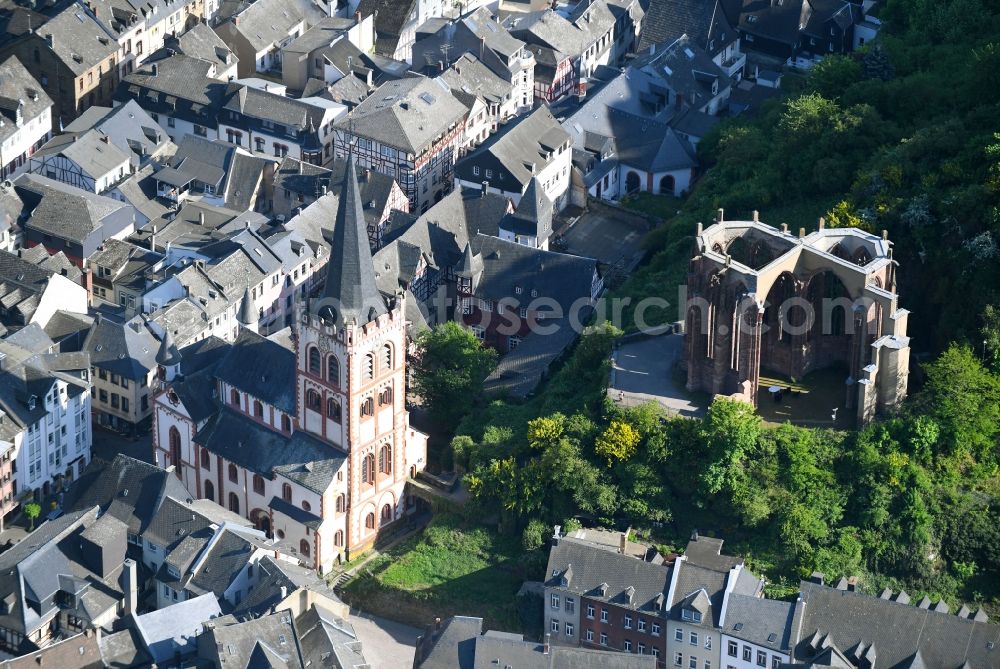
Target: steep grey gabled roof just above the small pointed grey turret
x: 532, y: 140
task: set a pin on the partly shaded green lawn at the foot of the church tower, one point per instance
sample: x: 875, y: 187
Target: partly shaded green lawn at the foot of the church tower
x: 451, y: 568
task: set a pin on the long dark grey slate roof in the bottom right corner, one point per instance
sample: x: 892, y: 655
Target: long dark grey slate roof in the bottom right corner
x: 895, y: 632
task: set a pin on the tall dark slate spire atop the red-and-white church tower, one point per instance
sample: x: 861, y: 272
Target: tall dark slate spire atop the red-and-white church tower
x: 350, y: 293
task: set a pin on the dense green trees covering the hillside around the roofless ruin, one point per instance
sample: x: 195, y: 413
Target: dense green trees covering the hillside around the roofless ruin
x: 901, y: 137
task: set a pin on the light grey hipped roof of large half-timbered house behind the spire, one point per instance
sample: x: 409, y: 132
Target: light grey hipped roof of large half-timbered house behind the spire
x: 407, y: 114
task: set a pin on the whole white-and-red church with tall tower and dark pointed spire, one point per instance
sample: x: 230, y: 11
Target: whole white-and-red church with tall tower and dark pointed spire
x: 308, y: 438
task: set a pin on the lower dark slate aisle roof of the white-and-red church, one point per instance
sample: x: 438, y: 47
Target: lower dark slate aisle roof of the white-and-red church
x: 298, y: 457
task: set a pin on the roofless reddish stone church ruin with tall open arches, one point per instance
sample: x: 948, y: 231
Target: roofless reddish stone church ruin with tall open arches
x: 763, y: 299
